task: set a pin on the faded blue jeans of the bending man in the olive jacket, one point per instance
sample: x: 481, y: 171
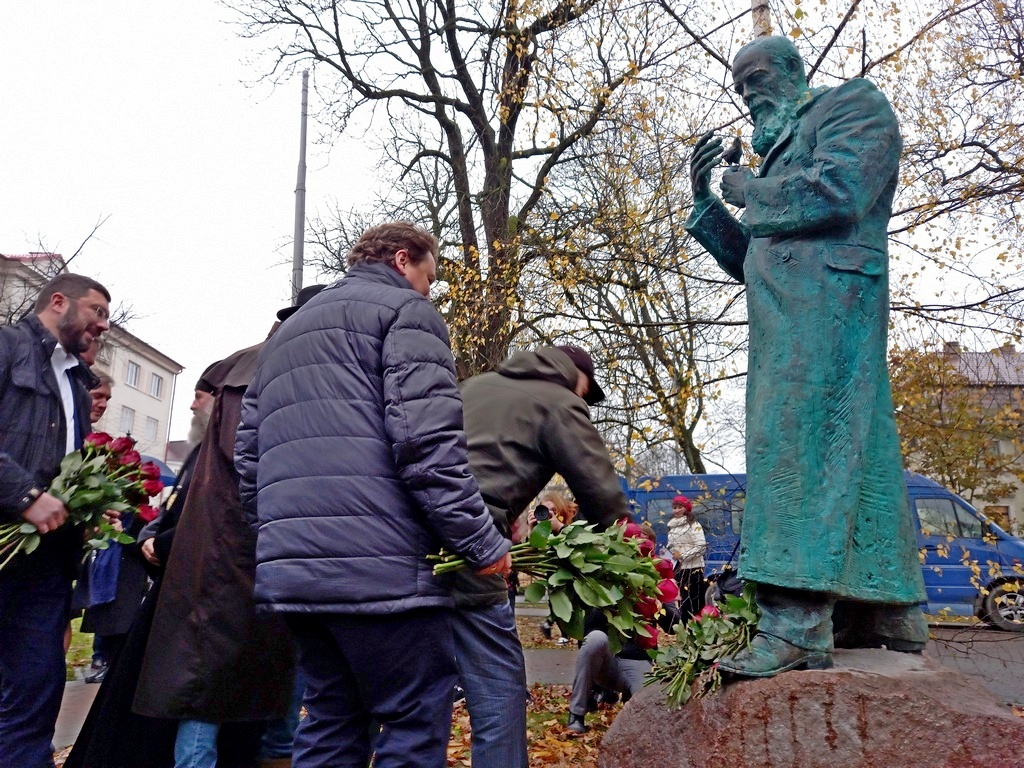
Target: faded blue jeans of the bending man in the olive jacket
x: 493, y: 673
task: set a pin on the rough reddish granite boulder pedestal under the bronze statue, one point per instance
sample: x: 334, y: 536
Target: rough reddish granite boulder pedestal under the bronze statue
x: 874, y: 709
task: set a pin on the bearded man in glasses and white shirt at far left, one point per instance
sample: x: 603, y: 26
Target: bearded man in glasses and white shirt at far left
x: 45, y: 415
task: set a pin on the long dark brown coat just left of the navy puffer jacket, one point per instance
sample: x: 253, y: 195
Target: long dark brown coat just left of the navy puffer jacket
x: 210, y: 657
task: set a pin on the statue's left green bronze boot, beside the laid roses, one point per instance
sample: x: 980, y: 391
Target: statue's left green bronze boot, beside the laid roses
x: 794, y: 633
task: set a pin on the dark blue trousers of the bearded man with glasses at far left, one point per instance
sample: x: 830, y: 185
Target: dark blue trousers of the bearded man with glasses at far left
x: 35, y: 604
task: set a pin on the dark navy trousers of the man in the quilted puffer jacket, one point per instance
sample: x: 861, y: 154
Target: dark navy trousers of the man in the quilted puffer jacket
x: 397, y: 670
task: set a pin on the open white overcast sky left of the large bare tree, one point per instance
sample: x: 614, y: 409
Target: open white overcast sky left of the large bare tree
x: 146, y: 113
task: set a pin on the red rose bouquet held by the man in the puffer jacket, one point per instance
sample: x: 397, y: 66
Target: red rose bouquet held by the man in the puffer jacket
x: 582, y: 570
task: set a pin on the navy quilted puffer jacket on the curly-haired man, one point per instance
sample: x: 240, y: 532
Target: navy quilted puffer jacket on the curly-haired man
x: 352, y: 442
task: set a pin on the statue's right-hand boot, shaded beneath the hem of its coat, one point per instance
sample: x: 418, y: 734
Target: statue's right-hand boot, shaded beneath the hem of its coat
x: 902, y: 628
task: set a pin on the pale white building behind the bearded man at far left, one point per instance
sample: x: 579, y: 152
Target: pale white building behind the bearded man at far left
x: 144, y: 377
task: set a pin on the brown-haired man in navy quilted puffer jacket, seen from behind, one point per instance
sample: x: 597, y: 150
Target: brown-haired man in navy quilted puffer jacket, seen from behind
x: 353, y: 457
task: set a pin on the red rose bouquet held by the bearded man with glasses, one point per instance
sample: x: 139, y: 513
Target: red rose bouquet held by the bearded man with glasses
x: 108, y: 475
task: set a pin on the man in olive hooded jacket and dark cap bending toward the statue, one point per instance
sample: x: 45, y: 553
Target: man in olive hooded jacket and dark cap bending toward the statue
x: 525, y: 422
